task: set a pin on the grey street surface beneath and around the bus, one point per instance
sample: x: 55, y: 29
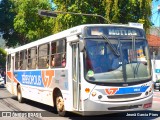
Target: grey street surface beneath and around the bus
x: 30, y: 110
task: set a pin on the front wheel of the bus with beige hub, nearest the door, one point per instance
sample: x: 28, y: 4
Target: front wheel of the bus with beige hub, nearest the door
x: 60, y: 105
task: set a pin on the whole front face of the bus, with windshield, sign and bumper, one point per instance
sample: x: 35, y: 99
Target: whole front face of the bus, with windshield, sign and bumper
x: 117, y: 69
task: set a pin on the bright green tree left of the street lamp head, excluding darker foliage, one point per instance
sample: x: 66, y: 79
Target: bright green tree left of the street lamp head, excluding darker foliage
x: 28, y: 23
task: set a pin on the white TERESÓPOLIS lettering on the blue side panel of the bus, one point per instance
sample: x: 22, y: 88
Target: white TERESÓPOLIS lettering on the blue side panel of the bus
x: 31, y: 79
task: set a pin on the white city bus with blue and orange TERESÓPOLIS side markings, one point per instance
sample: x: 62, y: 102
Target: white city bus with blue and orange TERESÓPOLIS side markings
x: 89, y: 69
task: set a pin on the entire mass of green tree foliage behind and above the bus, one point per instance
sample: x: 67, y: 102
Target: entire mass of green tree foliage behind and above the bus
x: 21, y: 23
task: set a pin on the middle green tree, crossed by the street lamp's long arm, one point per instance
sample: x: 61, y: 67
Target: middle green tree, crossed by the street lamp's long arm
x: 79, y: 6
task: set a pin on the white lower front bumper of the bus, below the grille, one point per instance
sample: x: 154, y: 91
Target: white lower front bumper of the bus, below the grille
x: 99, y: 108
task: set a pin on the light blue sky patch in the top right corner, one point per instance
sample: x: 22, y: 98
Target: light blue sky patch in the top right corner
x: 155, y: 18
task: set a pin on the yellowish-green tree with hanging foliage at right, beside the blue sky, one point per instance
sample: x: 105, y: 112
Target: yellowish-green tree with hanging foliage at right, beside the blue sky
x: 118, y: 11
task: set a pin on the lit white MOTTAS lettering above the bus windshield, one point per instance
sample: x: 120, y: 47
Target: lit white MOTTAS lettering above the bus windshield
x: 122, y: 32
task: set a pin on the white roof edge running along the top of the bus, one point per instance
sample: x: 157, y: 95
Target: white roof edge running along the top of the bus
x: 69, y: 32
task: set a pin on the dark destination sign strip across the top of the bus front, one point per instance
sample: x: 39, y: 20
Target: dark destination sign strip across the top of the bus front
x: 114, y: 31
